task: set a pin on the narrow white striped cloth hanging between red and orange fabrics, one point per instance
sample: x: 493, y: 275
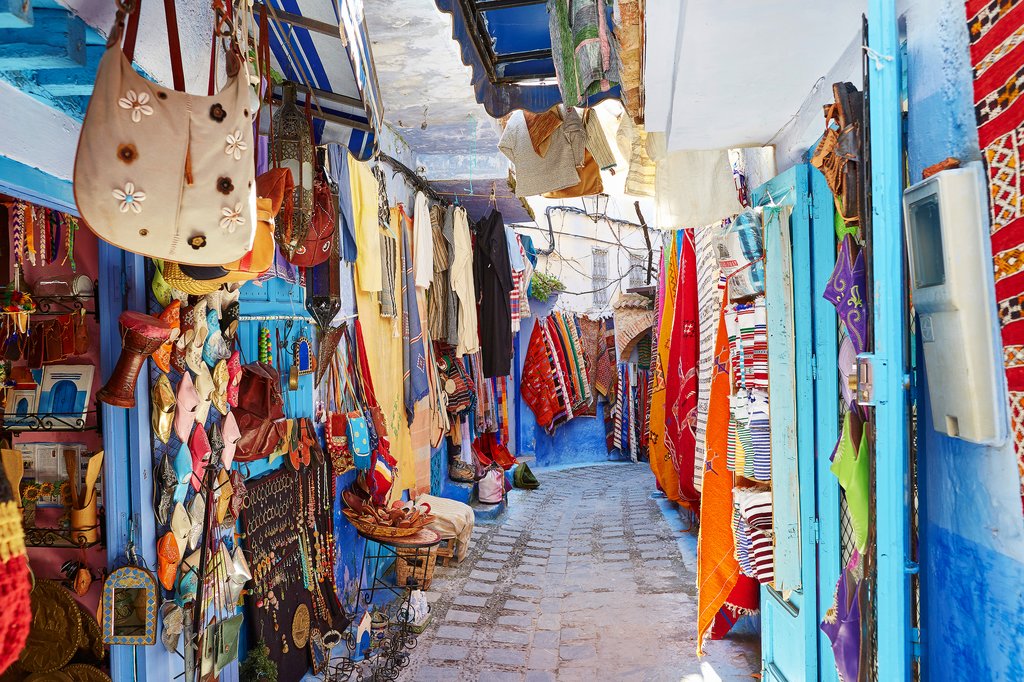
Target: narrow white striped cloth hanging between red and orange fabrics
x: 709, y: 299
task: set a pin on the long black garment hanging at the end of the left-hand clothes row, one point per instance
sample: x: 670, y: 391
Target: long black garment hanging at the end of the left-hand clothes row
x: 494, y: 283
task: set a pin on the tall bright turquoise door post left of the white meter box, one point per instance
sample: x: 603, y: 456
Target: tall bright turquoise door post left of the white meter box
x: 892, y: 489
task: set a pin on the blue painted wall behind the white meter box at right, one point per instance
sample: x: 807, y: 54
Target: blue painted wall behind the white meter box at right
x: 972, y: 531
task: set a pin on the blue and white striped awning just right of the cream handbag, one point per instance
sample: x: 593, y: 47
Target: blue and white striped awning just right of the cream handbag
x: 324, y: 48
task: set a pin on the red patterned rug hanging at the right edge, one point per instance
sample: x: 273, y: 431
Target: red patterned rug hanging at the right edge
x: 997, y: 31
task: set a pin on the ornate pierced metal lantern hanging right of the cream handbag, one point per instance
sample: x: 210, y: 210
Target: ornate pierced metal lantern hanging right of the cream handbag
x: 292, y: 148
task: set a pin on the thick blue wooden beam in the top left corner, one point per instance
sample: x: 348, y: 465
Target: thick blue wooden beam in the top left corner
x: 57, y: 40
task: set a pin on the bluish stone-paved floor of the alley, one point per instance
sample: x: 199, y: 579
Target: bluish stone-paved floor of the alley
x: 581, y: 580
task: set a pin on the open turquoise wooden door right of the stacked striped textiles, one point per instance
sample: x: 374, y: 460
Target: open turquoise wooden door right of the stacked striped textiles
x: 800, y: 253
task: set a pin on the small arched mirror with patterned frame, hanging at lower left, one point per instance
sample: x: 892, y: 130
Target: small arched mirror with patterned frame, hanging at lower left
x: 131, y: 608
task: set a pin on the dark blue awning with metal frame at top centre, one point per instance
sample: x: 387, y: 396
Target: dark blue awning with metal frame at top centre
x: 508, y: 46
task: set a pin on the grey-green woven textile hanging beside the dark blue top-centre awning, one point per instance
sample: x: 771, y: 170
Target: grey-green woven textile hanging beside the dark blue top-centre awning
x: 583, y: 49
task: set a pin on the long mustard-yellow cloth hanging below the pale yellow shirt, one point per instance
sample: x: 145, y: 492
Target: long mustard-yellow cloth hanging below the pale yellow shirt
x: 382, y: 337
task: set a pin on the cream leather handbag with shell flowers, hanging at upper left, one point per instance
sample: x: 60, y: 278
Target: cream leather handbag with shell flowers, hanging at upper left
x: 162, y: 173
